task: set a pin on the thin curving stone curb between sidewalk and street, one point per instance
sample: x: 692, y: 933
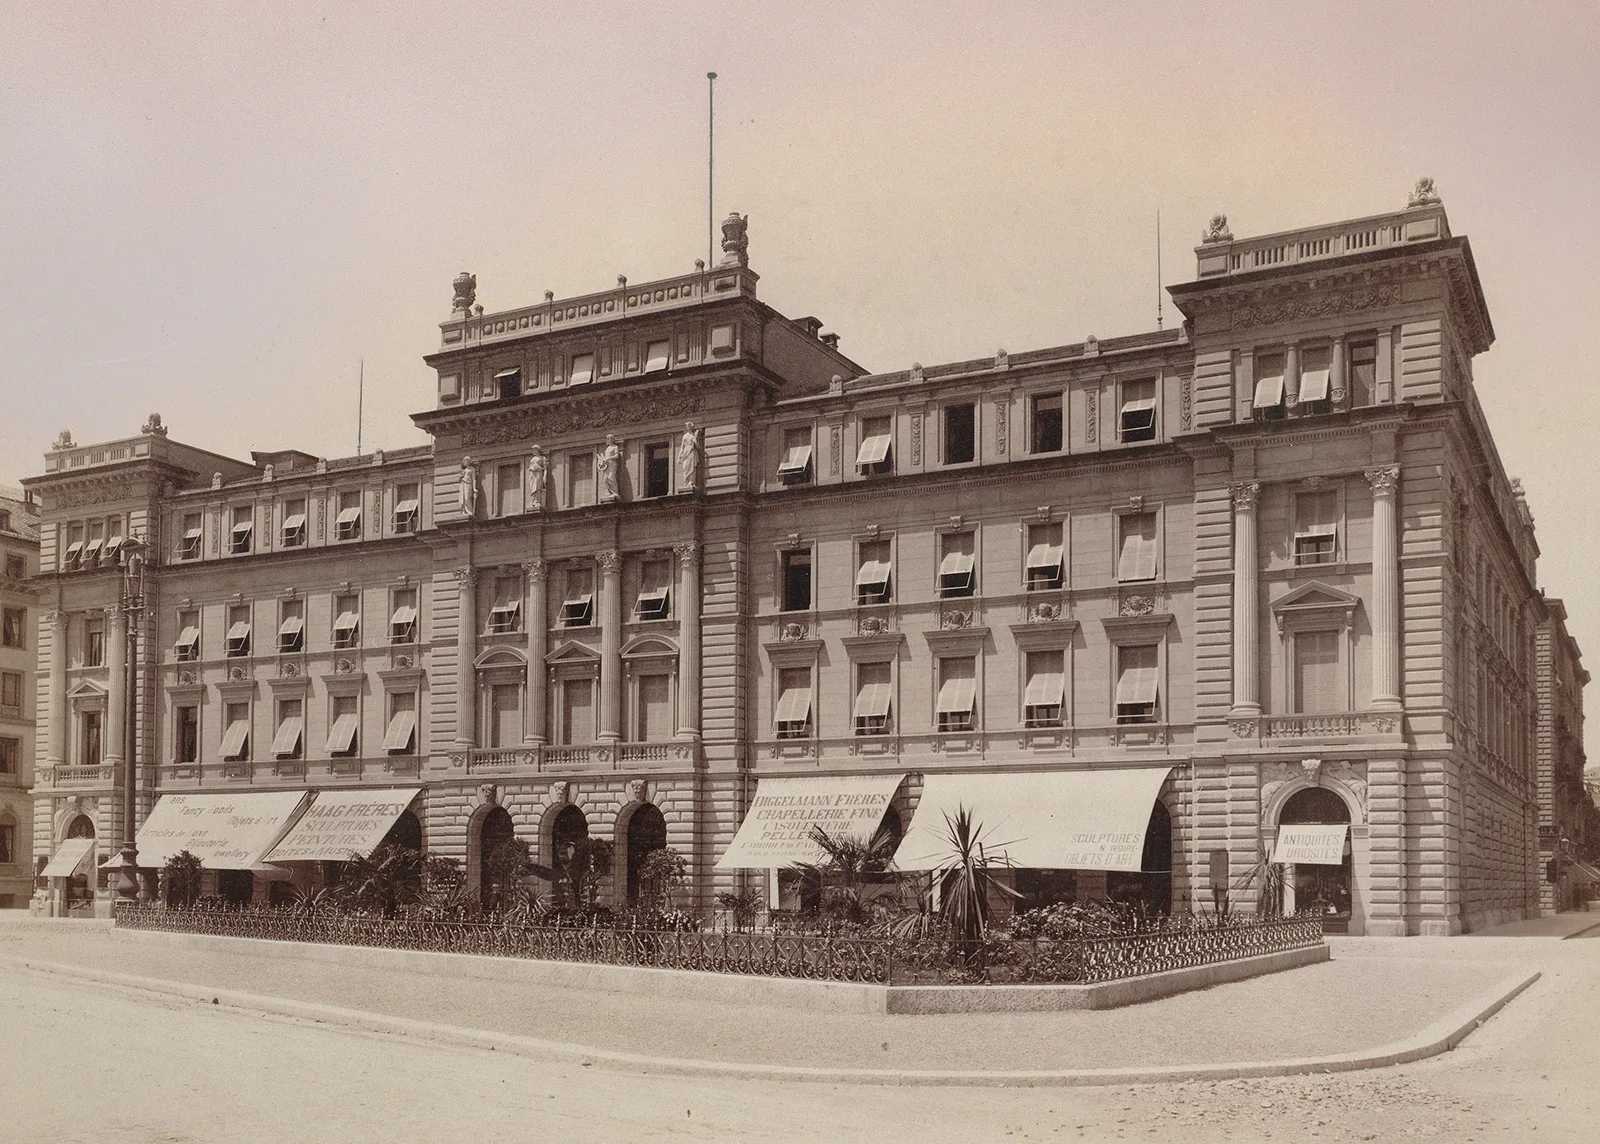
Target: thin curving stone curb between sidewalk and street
x: 1434, y: 1039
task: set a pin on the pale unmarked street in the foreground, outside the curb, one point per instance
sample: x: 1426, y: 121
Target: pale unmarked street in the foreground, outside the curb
x: 98, y: 1063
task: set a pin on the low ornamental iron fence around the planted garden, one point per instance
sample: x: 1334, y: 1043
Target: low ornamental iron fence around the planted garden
x: 1177, y: 945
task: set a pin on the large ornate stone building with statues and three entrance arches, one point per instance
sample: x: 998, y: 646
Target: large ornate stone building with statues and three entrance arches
x: 668, y: 545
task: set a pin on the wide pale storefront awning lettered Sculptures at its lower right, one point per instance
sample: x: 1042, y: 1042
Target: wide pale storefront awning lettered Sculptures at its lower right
x: 1055, y: 822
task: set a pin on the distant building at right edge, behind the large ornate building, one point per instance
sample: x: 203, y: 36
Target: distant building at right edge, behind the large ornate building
x: 1564, y: 802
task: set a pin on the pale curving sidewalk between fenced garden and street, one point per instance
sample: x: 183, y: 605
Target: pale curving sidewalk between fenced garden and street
x: 1342, y: 1007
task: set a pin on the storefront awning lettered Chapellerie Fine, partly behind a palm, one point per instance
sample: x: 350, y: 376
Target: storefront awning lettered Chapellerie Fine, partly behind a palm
x: 777, y: 830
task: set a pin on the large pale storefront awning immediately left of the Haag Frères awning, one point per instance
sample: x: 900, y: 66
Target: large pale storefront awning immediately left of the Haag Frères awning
x: 226, y: 833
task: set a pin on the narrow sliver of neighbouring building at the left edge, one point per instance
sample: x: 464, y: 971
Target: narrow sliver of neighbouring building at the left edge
x: 18, y: 649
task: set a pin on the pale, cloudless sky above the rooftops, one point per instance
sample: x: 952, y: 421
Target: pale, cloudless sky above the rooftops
x: 217, y: 214
